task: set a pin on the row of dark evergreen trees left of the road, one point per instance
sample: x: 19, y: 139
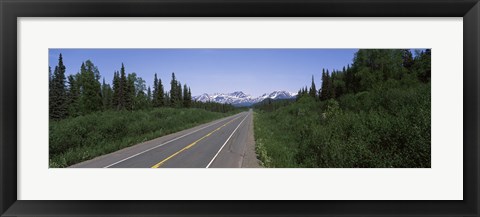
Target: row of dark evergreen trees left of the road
x: 82, y: 93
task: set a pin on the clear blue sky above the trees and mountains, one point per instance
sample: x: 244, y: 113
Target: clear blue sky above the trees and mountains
x: 253, y: 71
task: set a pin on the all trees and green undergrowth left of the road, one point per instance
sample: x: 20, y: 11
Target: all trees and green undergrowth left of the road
x: 89, y: 118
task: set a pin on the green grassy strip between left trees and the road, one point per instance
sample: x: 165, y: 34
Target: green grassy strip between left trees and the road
x: 74, y: 140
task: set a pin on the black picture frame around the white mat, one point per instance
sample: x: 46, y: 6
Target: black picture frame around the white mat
x: 10, y: 10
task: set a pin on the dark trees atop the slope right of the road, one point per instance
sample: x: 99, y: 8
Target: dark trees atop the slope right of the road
x: 371, y: 68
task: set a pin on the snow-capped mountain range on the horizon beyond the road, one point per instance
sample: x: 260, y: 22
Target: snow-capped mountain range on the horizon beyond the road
x: 238, y: 98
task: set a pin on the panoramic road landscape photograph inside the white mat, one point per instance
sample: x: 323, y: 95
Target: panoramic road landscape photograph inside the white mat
x: 239, y: 108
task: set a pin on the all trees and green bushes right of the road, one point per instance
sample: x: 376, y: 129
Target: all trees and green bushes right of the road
x: 375, y: 113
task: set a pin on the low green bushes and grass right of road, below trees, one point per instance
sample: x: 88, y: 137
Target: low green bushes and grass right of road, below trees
x: 380, y: 128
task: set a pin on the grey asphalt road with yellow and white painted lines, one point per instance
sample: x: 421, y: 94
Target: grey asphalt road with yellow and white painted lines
x: 220, y: 143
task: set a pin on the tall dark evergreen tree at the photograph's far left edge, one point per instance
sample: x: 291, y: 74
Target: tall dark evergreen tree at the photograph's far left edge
x: 58, y: 93
